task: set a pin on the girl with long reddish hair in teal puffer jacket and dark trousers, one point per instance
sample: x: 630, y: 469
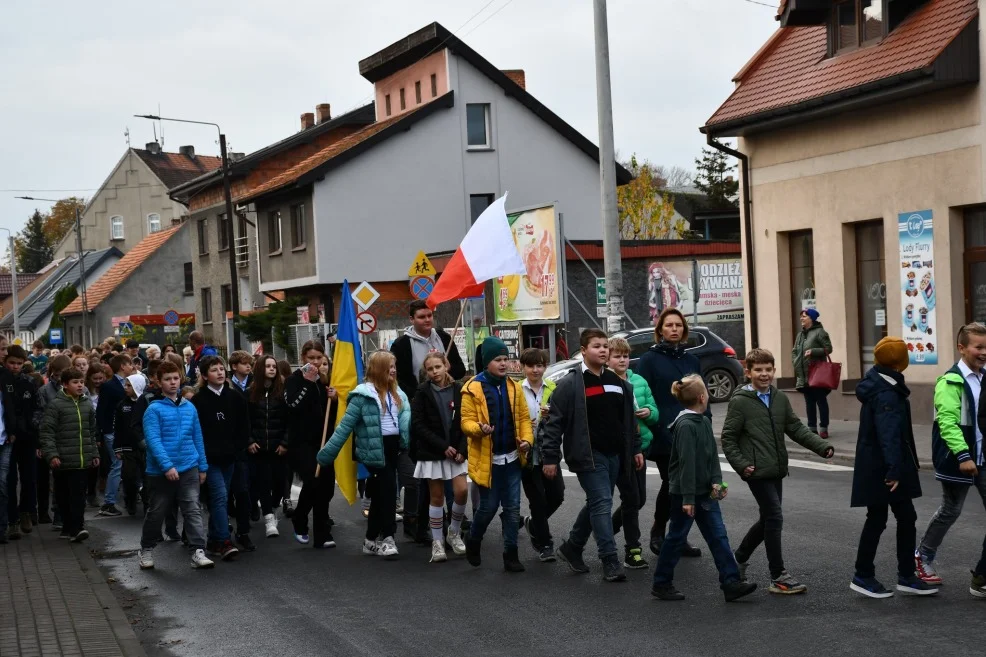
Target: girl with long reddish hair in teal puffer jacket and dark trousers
x: 378, y: 416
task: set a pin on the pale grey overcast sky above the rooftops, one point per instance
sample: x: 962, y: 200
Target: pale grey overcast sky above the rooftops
x: 72, y: 74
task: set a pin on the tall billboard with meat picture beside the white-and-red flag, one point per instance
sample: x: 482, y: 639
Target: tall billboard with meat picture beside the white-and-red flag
x: 534, y: 296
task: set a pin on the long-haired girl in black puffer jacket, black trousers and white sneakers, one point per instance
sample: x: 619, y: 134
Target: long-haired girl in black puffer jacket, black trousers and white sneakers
x: 268, y: 429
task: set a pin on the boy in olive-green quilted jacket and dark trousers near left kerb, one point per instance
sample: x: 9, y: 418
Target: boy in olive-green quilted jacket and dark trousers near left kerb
x: 68, y: 444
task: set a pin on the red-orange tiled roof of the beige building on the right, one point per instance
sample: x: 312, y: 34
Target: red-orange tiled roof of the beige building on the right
x: 797, y: 69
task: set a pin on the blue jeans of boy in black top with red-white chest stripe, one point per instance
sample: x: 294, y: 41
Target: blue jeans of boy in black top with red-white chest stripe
x: 596, y: 516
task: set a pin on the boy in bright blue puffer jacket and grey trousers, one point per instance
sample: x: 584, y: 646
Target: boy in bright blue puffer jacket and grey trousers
x: 176, y: 467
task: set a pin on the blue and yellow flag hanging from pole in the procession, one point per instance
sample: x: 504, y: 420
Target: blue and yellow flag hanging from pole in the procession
x: 347, y: 372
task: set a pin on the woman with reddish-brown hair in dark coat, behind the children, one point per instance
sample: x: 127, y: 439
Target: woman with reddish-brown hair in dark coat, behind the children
x: 665, y: 363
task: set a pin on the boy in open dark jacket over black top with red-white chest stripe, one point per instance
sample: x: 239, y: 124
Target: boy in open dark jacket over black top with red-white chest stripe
x: 591, y: 417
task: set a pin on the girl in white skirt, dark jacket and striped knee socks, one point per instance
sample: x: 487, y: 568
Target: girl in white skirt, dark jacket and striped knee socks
x: 439, y: 449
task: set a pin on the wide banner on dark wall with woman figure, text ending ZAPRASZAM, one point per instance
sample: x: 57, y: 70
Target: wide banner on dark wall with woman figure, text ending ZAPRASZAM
x: 720, y: 299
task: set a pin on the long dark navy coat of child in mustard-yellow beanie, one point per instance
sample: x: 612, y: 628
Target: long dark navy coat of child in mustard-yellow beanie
x: 885, y: 448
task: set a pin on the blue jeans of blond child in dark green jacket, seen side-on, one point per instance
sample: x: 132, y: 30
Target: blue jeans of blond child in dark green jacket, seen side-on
x: 708, y: 517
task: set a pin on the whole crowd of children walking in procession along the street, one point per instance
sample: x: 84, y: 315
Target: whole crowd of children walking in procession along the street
x: 233, y: 442
